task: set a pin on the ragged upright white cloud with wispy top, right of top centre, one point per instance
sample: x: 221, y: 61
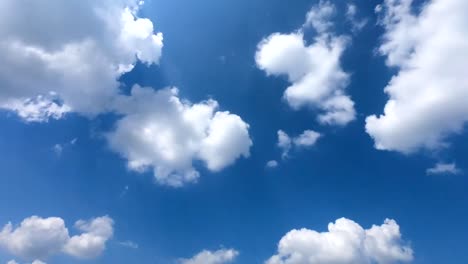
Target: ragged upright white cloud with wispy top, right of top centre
x: 314, y: 71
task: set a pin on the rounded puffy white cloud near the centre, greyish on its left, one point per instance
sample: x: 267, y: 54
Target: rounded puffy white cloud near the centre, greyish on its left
x: 160, y: 131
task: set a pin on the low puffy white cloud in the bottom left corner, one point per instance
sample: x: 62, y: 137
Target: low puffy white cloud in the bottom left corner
x: 39, y: 238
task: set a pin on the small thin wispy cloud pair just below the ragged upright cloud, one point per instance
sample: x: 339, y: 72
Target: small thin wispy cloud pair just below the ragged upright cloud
x: 308, y: 138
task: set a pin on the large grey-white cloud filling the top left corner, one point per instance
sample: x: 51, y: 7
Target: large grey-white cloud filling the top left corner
x: 68, y: 56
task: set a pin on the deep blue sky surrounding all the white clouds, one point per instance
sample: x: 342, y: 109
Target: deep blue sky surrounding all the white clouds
x: 209, y: 53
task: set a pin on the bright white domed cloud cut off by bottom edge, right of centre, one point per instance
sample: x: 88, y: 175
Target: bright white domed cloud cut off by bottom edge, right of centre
x: 346, y: 242
